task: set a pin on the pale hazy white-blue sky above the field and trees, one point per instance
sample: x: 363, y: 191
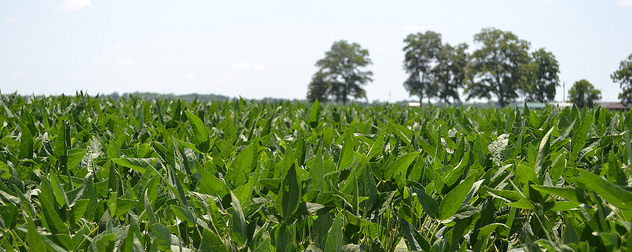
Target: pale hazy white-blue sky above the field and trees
x: 258, y: 49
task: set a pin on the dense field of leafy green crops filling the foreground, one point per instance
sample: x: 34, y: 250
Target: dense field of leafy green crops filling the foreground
x: 88, y: 174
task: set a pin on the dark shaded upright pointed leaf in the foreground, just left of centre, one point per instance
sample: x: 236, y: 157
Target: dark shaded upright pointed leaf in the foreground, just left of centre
x: 289, y: 194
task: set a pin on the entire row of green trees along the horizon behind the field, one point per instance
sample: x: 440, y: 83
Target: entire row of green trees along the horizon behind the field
x: 501, y: 67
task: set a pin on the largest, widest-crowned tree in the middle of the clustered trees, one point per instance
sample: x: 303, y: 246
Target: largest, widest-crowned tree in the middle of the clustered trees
x: 499, y: 67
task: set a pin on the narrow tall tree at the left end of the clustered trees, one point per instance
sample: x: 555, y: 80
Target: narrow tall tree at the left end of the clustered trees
x: 419, y: 60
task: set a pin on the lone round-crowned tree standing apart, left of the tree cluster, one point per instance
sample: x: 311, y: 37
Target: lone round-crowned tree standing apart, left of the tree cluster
x: 339, y: 73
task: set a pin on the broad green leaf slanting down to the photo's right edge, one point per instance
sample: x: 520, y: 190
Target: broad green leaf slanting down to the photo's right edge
x: 614, y: 194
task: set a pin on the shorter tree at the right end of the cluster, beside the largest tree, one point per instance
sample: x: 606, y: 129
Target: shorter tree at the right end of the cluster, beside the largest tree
x: 544, y: 78
